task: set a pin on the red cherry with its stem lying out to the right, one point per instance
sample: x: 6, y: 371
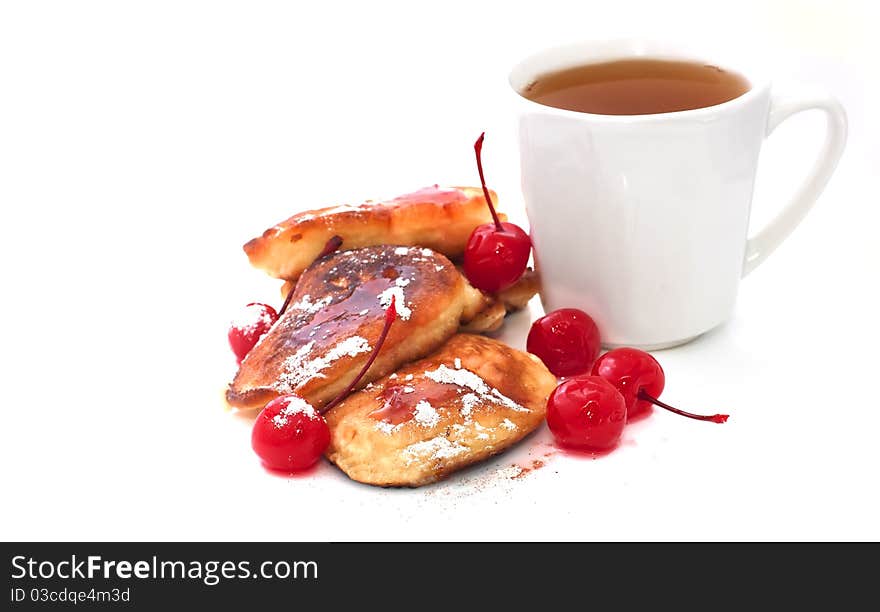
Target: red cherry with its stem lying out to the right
x: 640, y: 379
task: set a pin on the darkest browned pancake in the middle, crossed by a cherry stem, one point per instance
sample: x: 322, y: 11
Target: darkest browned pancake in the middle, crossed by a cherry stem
x: 336, y: 314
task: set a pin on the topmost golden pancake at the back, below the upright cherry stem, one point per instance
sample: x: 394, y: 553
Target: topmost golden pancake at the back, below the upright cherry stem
x: 440, y: 219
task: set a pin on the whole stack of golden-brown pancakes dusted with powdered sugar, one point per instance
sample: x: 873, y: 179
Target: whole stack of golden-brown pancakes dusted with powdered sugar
x: 438, y: 397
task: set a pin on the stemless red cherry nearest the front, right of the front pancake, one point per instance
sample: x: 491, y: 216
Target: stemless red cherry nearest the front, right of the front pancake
x: 587, y: 413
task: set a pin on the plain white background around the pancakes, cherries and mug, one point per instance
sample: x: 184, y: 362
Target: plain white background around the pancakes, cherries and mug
x: 142, y: 143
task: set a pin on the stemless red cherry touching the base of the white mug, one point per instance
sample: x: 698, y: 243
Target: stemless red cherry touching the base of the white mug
x: 566, y: 340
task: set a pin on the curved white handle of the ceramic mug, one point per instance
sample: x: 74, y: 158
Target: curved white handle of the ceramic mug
x: 759, y: 247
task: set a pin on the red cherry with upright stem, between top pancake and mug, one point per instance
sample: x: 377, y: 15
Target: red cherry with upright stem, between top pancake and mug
x: 496, y: 253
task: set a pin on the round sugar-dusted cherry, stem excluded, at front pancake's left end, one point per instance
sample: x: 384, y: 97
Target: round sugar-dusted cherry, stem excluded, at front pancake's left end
x: 289, y: 434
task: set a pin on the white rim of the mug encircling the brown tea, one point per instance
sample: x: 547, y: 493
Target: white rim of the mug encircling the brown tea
x: 596, y: 51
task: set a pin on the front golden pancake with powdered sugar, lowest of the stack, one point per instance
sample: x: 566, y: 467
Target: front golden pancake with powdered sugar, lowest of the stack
x: 471, y: 399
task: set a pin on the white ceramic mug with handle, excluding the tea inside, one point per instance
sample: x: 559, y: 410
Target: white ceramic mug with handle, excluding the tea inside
x: 642, y: 220
